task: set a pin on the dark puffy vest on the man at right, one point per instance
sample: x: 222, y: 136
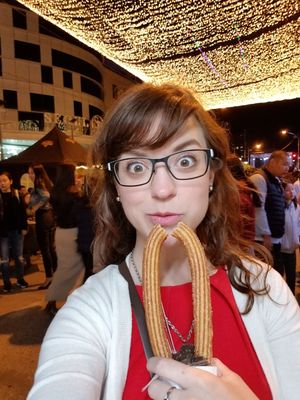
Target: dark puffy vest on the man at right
x: 275, y: 204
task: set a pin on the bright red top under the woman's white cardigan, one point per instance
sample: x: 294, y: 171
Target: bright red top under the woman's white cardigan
x: 231, y: 343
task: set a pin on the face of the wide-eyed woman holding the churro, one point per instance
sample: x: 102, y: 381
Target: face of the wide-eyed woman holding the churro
x: 166, y: 200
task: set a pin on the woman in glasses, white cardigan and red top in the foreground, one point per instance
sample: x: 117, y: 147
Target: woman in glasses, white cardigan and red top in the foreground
x: 164, y: 161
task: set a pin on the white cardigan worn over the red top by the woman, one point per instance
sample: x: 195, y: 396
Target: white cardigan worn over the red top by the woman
x: 85, y: 353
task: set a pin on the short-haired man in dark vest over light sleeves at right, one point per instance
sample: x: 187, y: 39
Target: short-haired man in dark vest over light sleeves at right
x: 269, y: 218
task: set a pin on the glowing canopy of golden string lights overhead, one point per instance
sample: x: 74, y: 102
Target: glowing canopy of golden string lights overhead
x: 230, y: 52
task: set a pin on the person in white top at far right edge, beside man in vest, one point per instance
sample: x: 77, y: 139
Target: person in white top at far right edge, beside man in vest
x: 290, y: 239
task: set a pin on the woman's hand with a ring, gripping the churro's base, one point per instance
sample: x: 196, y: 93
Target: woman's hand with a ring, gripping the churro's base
x: 196, y: 384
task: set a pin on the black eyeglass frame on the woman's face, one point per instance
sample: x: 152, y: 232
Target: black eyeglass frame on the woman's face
x: 112, y: 164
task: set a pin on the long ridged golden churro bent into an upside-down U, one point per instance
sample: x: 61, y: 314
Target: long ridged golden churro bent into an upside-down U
x: 200, y: 292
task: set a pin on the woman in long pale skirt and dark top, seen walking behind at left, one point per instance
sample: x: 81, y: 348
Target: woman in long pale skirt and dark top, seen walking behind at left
x: 64, y: 199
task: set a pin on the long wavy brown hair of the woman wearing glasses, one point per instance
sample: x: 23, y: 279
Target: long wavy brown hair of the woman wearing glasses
x: 126, y: 127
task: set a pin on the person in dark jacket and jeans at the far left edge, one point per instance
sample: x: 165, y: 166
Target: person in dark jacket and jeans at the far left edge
x: 13, y: 227
